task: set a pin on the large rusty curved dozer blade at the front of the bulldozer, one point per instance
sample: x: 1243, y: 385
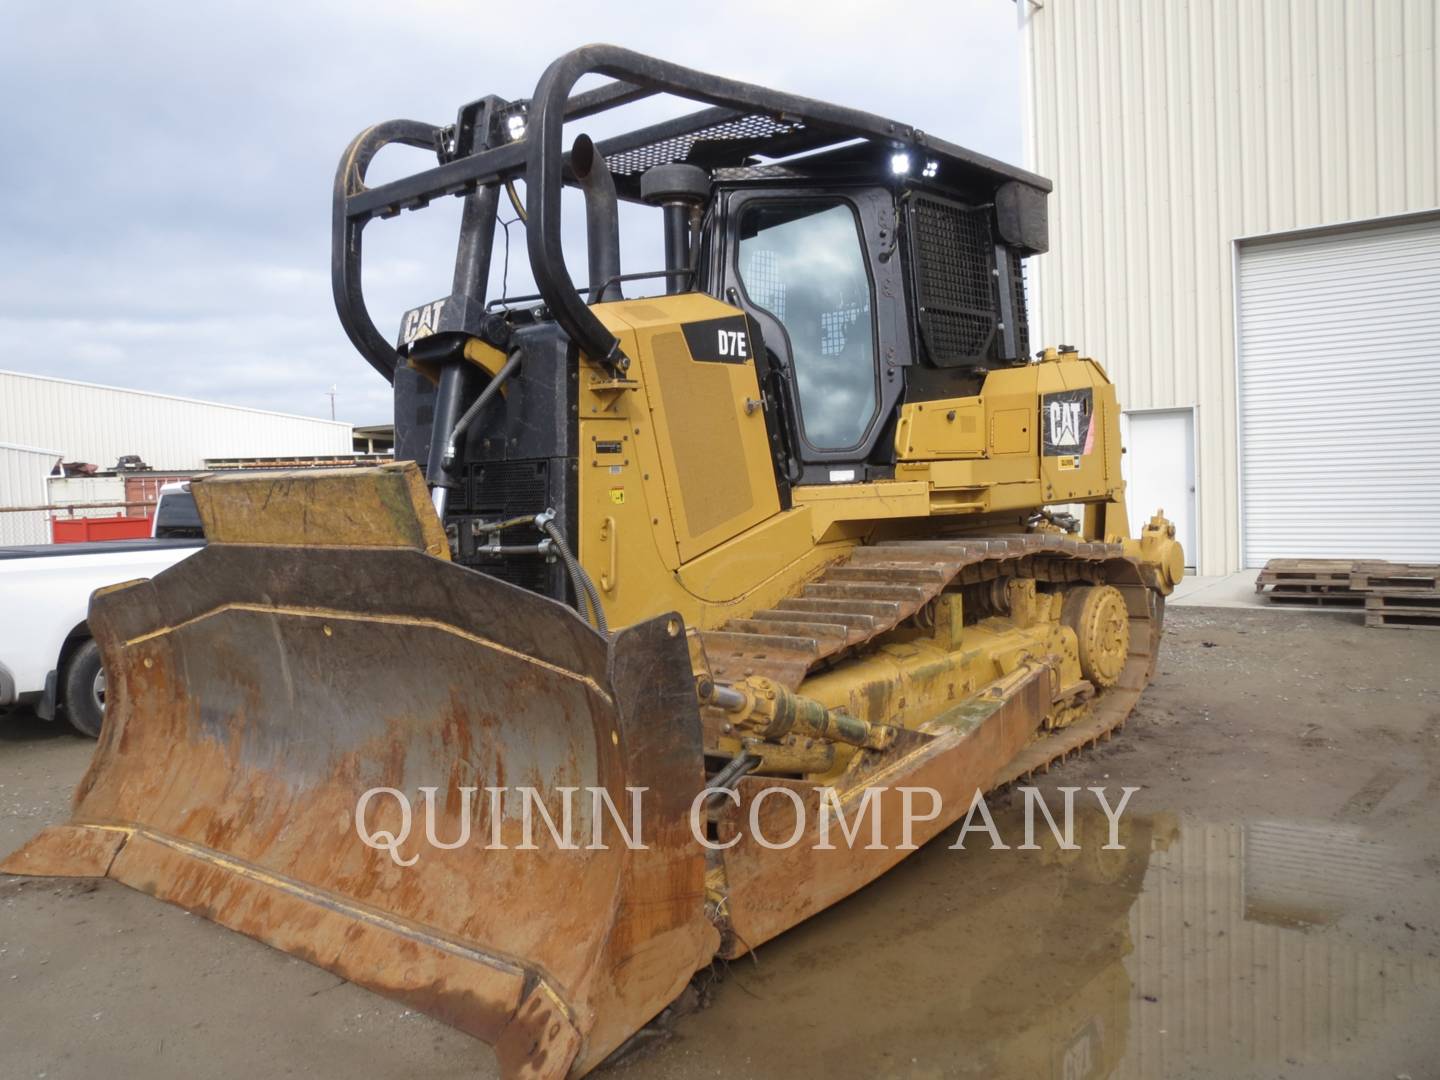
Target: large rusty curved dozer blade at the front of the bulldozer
x: 310, y: 654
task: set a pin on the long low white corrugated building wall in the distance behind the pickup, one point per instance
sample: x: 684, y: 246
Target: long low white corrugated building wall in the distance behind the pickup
x: 100, y: 424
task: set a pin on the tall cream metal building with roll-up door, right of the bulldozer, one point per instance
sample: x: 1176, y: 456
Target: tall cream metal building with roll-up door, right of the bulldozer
x: 1246, y: 233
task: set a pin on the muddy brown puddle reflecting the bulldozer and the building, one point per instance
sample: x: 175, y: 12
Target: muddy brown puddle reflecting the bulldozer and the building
x: 1200, y: 951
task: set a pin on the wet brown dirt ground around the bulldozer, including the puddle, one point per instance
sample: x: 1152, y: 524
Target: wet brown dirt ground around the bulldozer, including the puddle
x: 1277, y: 914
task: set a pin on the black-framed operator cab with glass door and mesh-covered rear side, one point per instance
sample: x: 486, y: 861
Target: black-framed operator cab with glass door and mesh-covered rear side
x: 869, y: 287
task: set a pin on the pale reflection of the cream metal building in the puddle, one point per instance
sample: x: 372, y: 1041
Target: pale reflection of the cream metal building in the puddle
x: 1225, y: 973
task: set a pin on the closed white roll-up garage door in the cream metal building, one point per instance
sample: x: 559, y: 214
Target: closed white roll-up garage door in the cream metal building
x: 1340, y: 395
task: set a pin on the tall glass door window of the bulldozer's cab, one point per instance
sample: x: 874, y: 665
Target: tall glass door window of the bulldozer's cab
x: 806, y: 264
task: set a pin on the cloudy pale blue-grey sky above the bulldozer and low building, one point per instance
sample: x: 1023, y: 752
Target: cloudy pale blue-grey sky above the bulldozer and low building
x: 166, y: 168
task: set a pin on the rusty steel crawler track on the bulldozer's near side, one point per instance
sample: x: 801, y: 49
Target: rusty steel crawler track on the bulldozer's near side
x: 875, y: 590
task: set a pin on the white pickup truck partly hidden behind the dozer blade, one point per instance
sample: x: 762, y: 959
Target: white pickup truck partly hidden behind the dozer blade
x: 48, y: 659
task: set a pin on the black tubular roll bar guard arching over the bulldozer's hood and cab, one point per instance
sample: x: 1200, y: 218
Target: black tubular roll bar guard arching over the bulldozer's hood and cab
x: 541, y: 159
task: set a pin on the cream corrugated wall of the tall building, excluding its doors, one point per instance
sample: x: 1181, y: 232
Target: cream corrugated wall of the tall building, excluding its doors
x: 1176, y: 127
